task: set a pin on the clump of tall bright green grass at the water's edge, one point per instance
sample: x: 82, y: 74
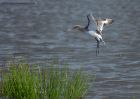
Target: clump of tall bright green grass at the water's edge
x: 21, y: 82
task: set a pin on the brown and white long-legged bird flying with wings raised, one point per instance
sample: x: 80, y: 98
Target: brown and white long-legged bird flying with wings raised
x: 97, y: 33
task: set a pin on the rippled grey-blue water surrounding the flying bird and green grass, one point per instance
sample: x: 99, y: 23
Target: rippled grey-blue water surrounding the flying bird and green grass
x: 36, y: 29
